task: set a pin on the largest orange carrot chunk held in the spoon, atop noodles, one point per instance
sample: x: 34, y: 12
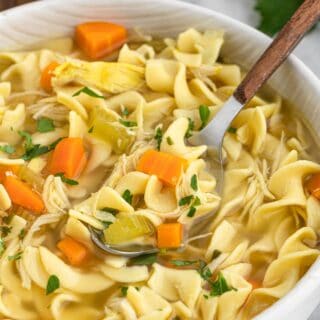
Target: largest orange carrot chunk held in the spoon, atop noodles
x: 165, y: 166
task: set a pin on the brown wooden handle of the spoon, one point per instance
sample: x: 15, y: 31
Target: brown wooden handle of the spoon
x: 291, y: 34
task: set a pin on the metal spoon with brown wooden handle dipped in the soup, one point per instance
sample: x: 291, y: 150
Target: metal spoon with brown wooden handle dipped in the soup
x: 212, y: 135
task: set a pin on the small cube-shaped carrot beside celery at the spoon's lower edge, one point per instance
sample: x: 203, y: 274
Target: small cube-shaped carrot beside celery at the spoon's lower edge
x: 169, y: 235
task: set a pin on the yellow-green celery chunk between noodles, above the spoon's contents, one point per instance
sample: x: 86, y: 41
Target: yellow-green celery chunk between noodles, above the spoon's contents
x: 106, y: 128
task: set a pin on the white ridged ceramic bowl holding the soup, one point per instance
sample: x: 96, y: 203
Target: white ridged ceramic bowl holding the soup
x: 294, y: 81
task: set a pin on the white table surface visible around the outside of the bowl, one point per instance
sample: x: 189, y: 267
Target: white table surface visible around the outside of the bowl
x: 308, y: 50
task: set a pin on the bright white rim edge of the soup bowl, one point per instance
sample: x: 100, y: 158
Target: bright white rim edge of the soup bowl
x: 312, y: 276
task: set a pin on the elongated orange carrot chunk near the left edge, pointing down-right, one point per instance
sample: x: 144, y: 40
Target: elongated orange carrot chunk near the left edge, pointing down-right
x: 22, y: 195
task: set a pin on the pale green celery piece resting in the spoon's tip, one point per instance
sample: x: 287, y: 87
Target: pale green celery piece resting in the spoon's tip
x: 128, y: 228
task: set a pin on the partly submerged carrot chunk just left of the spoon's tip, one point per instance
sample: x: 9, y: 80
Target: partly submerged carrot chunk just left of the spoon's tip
x: 75, y: 252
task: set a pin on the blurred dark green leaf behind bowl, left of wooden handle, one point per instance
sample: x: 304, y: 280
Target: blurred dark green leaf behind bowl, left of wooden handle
x: 275, y: 14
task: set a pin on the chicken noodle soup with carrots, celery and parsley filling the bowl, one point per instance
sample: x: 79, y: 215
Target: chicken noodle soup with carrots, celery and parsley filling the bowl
x: 96, y: 135
